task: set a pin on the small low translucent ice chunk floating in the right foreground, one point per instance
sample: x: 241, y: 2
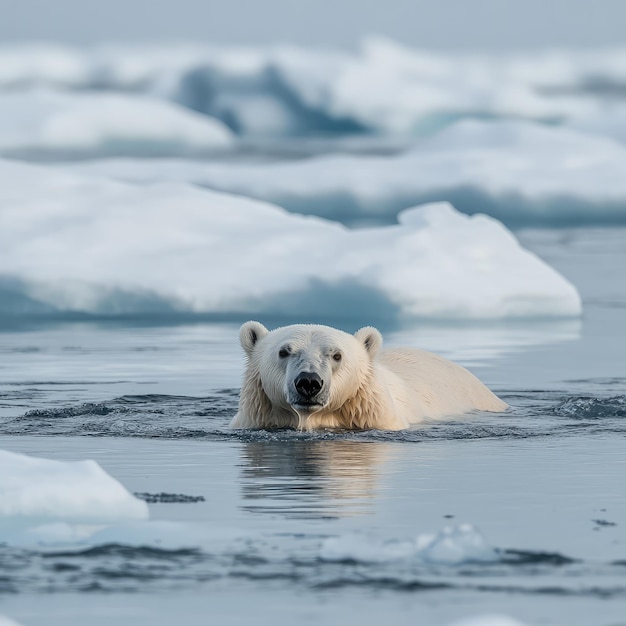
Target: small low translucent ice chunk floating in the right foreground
x: 453, y: 545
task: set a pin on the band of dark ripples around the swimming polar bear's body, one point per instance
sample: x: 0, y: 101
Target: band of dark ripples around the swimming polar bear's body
x: 534, y: 414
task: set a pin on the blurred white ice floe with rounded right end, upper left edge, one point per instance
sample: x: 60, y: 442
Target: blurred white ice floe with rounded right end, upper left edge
x: 44, y: 122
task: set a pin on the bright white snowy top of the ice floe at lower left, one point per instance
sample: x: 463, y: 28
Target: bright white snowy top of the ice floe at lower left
x: 37, y: 491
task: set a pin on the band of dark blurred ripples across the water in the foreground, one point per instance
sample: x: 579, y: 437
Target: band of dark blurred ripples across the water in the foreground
x: 302, y: 562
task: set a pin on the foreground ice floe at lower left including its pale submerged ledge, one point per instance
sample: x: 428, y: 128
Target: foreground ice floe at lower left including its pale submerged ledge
x: 49, y: 504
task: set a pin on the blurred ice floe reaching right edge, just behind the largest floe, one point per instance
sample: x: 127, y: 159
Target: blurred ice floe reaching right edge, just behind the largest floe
x: 520, y: 172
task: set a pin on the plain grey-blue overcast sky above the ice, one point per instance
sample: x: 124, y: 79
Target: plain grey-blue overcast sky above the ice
x: 443, y: 24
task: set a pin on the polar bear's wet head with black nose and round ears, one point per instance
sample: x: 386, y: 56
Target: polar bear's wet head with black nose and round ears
x: 304, y: 369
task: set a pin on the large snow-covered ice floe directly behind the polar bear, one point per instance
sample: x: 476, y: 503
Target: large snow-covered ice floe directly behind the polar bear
x: 73, y: 243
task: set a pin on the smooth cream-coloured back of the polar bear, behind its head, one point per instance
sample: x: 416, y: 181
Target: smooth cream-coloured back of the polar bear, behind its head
x: 427, y: 386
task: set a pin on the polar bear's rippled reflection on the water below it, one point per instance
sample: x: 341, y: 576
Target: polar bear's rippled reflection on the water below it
x: 310, y: 479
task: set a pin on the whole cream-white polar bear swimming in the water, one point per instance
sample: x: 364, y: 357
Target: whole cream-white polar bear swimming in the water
x: 309, y: 376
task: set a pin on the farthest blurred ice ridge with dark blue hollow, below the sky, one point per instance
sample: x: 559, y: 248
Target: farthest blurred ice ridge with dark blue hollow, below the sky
x: 383, y: 87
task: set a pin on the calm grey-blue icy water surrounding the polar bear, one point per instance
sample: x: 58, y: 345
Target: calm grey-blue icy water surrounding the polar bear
x: 285, y: 527
